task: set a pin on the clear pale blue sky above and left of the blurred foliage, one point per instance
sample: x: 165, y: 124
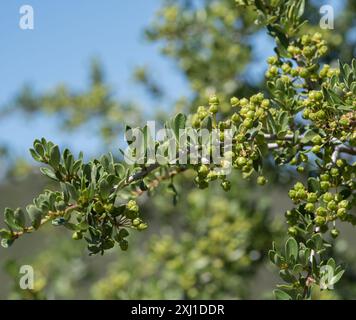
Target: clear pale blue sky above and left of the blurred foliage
x: 66, y: 35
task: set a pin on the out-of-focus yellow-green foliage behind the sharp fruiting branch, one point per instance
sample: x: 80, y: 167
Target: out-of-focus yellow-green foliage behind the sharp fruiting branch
x: 211, y: 244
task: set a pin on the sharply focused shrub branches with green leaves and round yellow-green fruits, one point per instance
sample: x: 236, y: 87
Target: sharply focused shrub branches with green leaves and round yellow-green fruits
x: 305, y: 121
